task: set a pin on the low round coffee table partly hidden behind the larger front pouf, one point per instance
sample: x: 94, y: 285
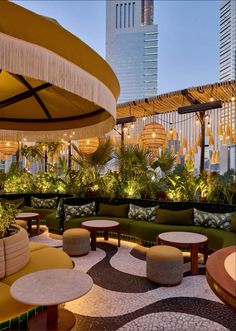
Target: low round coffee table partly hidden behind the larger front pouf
x: 188, y: 239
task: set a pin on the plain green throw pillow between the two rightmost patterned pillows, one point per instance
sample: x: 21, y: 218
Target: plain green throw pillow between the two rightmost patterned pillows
x: 173, y: 217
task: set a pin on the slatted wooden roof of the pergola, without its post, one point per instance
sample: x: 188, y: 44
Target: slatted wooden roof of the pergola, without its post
x: 169, y: 102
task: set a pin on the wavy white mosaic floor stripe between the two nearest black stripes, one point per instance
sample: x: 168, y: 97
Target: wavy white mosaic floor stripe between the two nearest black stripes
x: 100, y: 302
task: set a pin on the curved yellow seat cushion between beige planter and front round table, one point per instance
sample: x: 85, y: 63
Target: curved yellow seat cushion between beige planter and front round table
x: 47, y: 258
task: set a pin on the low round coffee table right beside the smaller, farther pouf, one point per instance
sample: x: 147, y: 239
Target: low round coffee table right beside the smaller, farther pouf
x: 101, y: 225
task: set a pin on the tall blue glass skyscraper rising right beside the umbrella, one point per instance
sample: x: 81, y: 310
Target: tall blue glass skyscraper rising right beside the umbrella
x: 132, y: 47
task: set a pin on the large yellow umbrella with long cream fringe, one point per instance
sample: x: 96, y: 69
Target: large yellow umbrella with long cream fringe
x: 52, y: 84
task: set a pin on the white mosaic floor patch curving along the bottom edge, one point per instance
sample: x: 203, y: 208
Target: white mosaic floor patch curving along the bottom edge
x: 171, y: 321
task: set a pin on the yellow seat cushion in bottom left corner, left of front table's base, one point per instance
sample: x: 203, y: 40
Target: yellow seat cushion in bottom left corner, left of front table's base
x: 9, y: 307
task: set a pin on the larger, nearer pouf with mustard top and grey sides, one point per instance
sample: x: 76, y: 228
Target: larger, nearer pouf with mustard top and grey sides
x: 165, y: 265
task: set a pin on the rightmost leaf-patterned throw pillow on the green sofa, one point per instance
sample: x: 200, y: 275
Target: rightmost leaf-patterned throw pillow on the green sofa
x: 212, y: 220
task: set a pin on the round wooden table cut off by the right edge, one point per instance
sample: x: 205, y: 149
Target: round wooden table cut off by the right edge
x: 221, y: 274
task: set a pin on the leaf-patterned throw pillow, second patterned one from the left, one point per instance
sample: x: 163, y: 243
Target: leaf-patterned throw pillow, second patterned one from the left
x: 79, y: 211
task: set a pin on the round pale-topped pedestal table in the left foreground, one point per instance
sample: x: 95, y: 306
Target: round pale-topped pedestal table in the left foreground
x: 50, y: 288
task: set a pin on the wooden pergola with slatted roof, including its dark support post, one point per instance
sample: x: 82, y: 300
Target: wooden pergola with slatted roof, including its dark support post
x: 194, y: 99
